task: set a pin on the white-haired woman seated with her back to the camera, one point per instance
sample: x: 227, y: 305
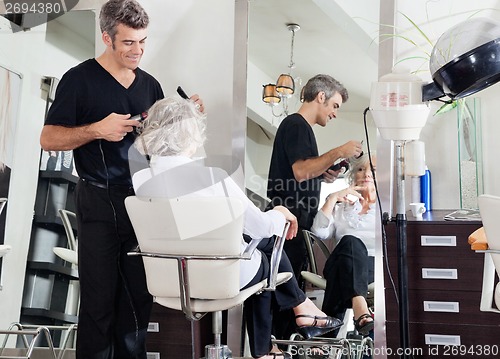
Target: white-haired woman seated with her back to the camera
x: 171, y: 135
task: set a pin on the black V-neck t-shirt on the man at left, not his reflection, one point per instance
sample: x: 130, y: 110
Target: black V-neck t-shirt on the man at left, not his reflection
x: 88, y: 93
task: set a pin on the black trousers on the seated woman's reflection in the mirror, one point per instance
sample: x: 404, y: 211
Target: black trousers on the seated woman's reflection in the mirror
x: 347, y: 271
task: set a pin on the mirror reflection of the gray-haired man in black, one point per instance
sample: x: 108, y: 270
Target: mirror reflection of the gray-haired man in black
x: 297, y: 170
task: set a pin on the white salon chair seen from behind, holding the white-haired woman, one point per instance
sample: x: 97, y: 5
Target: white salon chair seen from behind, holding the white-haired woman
x: 191, y: 248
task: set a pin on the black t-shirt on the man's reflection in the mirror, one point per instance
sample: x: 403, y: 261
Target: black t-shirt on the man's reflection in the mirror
x: 294, y: 141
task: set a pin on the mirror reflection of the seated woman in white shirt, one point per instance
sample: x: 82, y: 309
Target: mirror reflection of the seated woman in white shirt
x: 351, y: 222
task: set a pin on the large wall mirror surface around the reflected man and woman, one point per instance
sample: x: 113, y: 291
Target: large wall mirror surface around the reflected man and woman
x: 336, y: 37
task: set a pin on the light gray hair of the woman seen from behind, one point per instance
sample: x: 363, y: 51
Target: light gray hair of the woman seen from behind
x: 173, y: 127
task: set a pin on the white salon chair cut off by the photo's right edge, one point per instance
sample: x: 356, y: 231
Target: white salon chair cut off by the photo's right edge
x: 489, y: 207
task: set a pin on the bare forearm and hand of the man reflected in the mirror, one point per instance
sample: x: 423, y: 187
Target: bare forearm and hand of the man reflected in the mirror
x: 315, y: 167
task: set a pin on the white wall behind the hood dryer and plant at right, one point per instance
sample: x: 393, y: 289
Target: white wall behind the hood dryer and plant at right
x: 440, y: 133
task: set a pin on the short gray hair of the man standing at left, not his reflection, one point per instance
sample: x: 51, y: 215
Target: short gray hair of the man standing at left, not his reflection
x: 127, y: 12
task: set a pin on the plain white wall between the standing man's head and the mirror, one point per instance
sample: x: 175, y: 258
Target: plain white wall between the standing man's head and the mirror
x: 191, y: 44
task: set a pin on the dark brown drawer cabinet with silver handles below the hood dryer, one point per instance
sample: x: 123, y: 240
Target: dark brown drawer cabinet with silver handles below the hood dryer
x: 444, y: 290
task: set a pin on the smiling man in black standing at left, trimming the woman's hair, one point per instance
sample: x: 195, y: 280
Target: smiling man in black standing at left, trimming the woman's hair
x: 91, y: 116
